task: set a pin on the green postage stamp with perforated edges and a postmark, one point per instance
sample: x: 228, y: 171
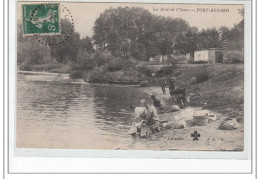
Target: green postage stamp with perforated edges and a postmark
x: 41, y: 19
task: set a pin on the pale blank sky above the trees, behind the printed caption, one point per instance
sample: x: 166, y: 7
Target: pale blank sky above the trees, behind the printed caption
x: 198, y: 15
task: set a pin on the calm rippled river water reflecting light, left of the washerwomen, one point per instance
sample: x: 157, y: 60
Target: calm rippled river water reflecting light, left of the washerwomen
x: 56, y: 114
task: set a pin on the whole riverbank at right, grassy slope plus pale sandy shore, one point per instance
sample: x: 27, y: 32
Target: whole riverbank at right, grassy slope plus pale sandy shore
x: 221, y: 94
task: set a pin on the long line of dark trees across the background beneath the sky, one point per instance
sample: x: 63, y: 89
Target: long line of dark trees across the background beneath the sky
x: 126, y: 33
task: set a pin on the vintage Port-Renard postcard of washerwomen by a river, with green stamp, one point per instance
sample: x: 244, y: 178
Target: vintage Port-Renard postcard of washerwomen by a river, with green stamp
x: 132, y: 76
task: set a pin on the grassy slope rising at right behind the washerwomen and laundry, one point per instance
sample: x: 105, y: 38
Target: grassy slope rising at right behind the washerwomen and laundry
x: 217, y: 87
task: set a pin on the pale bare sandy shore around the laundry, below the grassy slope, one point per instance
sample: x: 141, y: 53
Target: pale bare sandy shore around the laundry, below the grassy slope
x: 211, y: 137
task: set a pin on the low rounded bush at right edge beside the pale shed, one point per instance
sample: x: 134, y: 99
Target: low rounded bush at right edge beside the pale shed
x: 234, y: 56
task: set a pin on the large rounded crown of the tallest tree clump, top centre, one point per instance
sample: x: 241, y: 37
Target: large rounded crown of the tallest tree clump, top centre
x: 135, y: 32
